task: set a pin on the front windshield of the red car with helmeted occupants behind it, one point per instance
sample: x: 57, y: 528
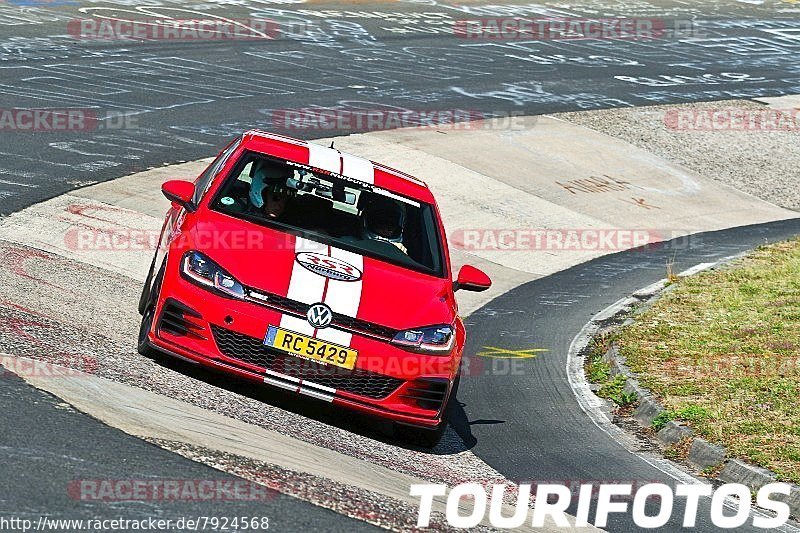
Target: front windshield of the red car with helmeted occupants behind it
x: 333, y: 209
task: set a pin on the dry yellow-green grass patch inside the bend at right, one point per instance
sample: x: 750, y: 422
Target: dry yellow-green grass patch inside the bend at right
x: 722, y: 351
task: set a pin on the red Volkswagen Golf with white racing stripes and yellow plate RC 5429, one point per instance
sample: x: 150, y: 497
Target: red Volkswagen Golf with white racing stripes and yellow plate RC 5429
x: 315, y: 271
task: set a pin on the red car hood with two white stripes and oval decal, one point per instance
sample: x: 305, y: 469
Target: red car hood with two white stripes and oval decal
x: 310, y: 272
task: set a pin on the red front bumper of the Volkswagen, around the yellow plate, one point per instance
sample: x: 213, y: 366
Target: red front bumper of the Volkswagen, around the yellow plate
x: 404, y: 393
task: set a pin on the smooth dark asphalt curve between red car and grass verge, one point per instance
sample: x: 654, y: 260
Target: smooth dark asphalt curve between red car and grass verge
x: 551, y: 439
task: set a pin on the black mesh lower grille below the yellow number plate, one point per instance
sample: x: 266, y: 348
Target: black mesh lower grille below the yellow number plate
x: 252, y: 350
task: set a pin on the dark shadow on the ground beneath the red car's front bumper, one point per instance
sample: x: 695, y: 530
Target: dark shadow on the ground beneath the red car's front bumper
x: 371, y: 427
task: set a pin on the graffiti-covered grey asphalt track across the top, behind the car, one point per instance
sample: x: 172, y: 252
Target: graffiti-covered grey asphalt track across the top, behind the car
x: 160, y: 102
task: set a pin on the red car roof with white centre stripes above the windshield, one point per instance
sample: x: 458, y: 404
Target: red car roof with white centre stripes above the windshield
x: 338, y: 163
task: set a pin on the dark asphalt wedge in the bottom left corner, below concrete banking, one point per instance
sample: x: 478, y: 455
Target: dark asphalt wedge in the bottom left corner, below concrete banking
x: 54, y: 446
